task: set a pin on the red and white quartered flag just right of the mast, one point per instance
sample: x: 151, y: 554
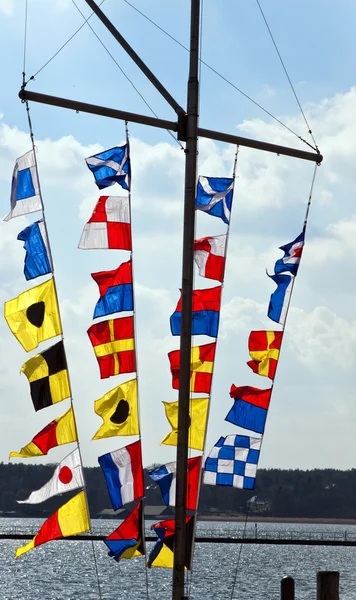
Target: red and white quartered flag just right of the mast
x: 209, y: 255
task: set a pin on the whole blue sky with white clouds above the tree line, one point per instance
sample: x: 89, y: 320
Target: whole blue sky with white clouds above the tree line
x: 312, y: 415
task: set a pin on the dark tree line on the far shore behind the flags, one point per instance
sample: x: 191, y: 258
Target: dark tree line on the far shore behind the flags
x: 318, y: 493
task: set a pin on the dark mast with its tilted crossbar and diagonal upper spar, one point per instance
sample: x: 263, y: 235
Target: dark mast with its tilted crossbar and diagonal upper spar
x: 188, y: 131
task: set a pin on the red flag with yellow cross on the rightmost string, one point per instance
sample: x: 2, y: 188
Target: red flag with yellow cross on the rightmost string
x: 264, y: 347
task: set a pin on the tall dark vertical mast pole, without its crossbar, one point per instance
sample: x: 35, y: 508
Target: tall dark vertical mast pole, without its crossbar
x: 186, y: 318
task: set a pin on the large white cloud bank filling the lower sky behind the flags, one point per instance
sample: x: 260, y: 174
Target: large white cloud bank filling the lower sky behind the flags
x: 269, y: 206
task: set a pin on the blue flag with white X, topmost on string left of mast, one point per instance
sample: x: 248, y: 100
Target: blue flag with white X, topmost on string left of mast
x: 111, y: 166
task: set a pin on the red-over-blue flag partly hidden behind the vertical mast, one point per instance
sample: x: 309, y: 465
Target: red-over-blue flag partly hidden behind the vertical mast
x: 205, y: 313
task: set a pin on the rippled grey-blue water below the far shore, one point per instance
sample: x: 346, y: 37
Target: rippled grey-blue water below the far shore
x: 73, y: 570
